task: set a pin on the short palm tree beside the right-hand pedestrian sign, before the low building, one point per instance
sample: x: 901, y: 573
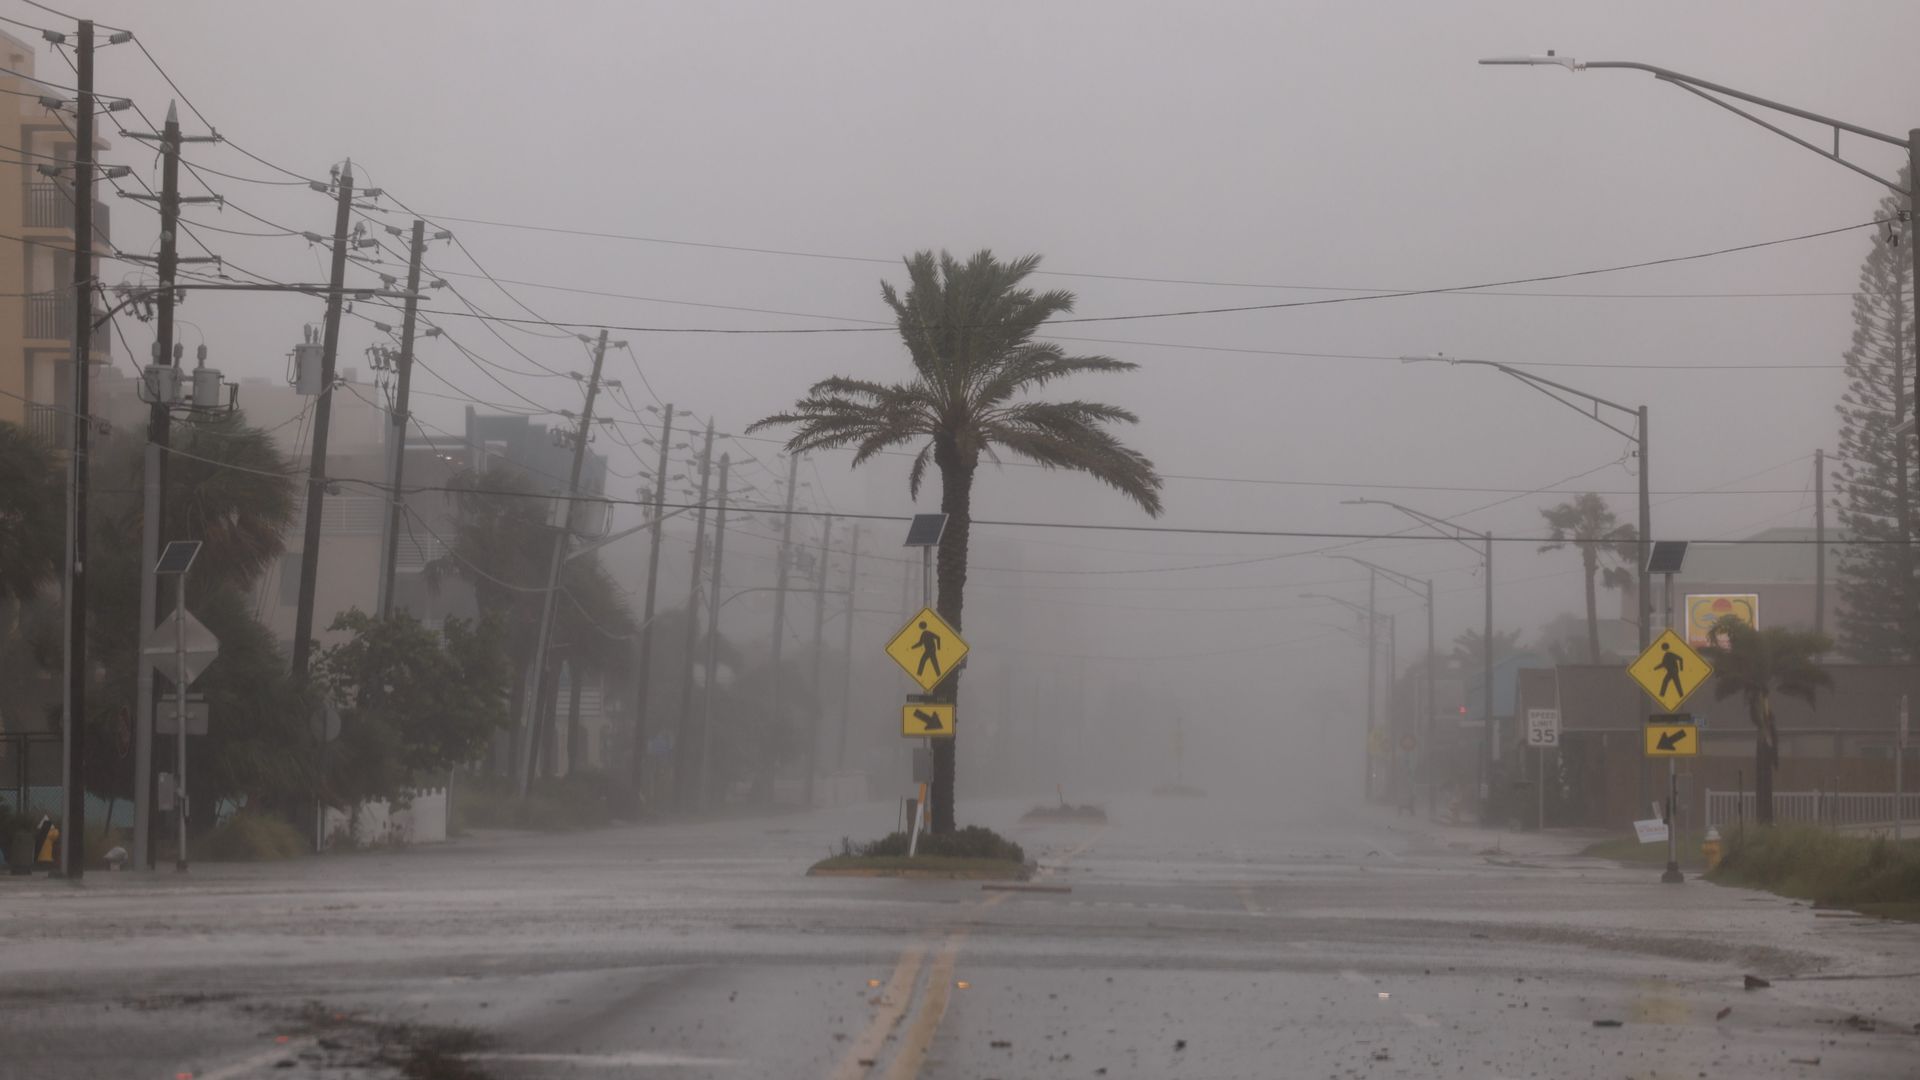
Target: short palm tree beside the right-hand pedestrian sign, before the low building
x: 1760, y: 664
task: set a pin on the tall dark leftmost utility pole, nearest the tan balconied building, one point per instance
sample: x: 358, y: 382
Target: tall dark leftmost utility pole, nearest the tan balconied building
x: 74, y: 847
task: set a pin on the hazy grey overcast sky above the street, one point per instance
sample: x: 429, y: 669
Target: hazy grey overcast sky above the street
x: 1293, y: 151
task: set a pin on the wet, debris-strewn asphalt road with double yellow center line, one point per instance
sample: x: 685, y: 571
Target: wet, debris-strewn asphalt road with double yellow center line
x: 1188, y: 939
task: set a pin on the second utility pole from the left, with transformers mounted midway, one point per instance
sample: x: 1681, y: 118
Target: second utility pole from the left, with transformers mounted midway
x: 164, y: 391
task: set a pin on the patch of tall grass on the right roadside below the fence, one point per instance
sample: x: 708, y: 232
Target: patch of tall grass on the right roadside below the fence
x: 1827, y: 868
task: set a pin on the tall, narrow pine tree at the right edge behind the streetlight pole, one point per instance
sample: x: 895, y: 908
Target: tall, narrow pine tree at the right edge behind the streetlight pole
x: 1871, y: 474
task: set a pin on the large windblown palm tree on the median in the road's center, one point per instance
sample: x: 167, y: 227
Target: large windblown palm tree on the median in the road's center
x: 971, y: 337
